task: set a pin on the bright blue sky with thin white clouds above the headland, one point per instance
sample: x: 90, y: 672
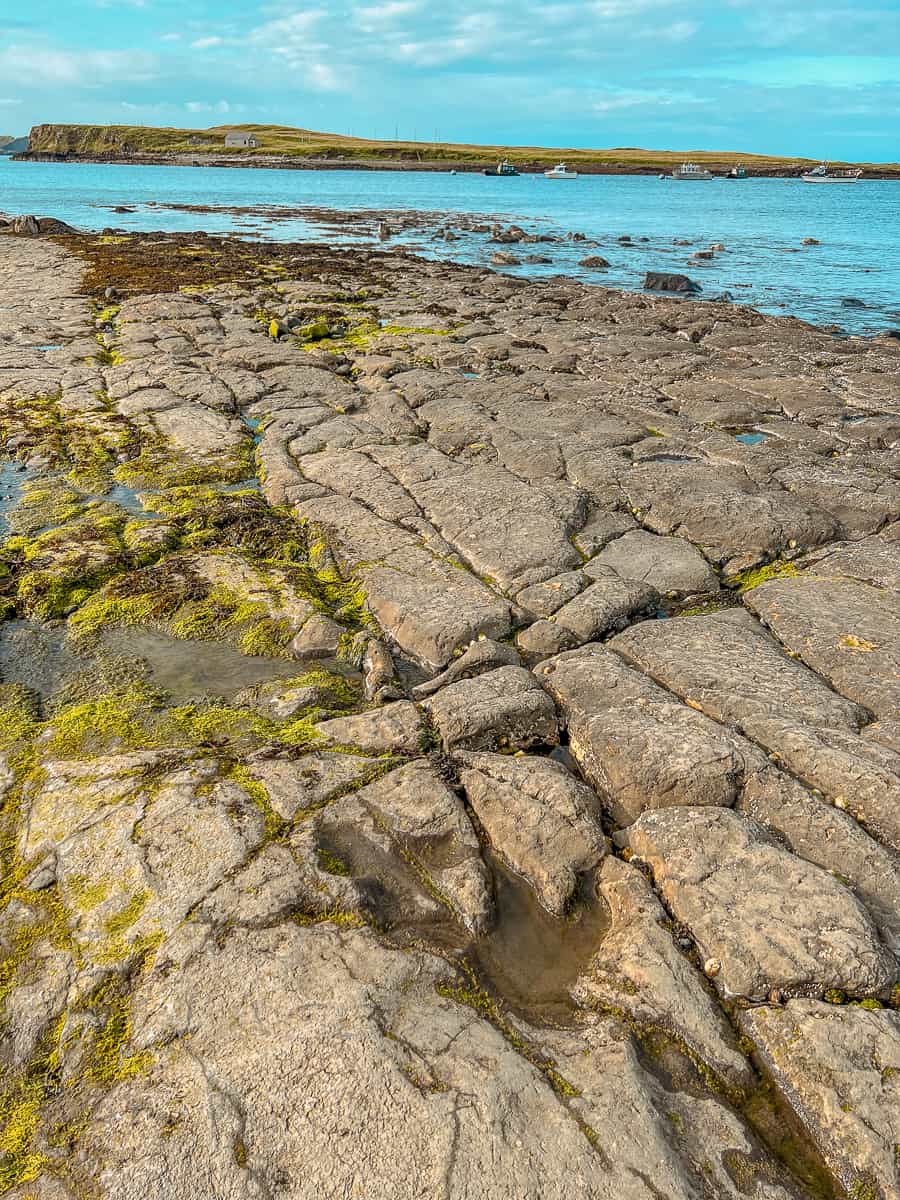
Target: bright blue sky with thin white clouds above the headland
x: 814, y: 77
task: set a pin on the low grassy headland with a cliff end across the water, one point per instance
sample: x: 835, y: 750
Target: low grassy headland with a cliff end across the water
x: 284, y: 146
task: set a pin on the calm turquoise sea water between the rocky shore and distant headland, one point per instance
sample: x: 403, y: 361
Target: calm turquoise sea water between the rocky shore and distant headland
x: 761, y: 223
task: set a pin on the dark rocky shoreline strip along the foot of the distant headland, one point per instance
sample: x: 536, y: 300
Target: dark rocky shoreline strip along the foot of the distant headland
x: 445, y: 166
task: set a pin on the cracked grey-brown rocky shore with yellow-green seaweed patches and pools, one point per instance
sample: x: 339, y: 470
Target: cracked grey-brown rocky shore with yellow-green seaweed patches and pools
x: 451, y: 735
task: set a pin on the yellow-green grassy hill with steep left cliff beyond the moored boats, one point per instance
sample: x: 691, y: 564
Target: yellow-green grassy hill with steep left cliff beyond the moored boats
x: 286, y: 142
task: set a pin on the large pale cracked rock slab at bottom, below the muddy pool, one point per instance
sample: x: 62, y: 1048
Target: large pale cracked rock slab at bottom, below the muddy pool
x: 362, y: 1059
